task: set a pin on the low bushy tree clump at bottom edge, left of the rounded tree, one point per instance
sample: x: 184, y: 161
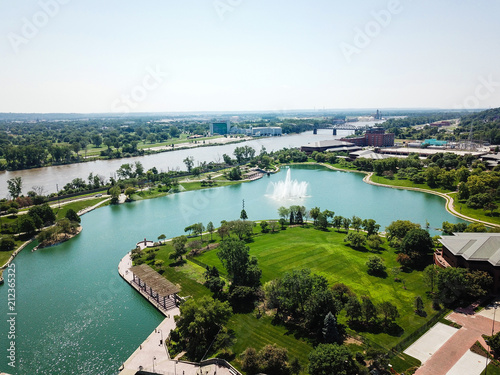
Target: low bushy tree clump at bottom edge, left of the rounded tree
x: 271, y: 359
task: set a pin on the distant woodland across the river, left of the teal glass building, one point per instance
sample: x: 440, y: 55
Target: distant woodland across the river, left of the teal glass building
x: 28, y: 145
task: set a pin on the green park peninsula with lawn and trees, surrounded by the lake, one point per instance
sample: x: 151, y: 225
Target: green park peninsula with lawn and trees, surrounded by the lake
x: 308, y: 284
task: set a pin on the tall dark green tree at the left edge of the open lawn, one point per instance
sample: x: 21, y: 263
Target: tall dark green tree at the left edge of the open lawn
x: 241, y: 268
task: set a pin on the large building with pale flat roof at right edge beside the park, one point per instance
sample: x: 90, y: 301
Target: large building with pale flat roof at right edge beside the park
x: 475, y: 251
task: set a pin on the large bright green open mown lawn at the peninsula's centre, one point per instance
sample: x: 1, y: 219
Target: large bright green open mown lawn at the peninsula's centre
x: 325, y: 253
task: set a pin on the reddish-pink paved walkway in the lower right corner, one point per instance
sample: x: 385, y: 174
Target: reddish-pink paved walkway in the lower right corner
x: 452, y: 351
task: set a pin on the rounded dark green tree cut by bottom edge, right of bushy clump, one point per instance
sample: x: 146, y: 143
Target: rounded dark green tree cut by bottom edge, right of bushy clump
x: 328, y: 359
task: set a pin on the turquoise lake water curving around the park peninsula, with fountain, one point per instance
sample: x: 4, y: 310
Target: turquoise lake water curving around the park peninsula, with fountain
x: 75, y: 315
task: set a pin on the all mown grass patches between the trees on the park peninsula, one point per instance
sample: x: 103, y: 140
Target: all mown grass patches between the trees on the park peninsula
x: 325, y: 253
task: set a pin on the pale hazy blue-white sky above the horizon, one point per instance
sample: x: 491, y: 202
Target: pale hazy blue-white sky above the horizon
x: 89, y: 56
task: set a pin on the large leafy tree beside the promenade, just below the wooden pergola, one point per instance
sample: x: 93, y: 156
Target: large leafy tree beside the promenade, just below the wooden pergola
x: 199, y: 322
